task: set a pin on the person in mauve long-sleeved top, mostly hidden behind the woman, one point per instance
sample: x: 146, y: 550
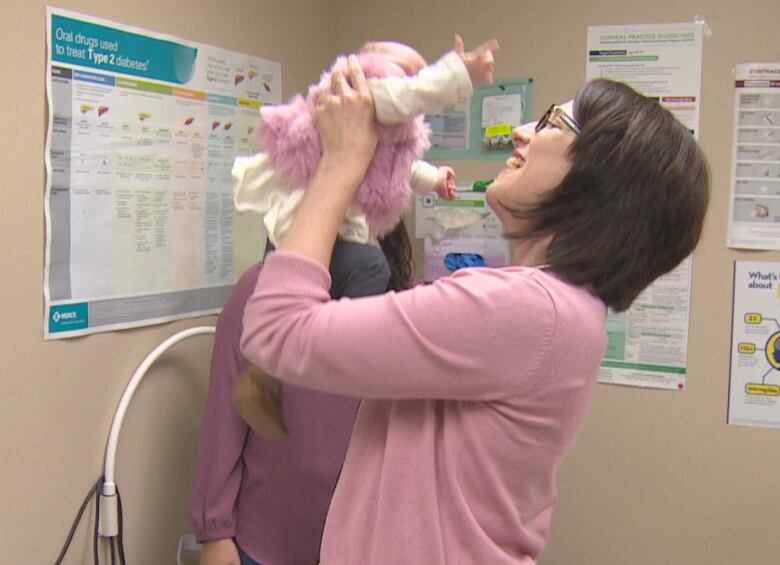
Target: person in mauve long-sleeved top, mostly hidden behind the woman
x: 261, y: 501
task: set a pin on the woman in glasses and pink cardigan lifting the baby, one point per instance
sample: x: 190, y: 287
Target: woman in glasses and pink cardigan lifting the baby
x: 474, y: 388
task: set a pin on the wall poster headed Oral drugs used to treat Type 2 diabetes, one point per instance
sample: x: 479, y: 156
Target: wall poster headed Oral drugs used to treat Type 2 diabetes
x: 142, y: 132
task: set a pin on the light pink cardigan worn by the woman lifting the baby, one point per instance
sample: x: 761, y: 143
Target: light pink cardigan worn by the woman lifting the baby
x: 474, y: 389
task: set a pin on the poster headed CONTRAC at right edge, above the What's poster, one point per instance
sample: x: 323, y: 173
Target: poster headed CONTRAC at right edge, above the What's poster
x: 754, y: 214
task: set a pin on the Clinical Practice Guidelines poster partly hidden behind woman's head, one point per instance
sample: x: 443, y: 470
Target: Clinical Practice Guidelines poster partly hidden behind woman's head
x: 647, y: 345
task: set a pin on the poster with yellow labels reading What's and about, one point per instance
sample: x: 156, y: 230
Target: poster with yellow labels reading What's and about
x: 754, y: 378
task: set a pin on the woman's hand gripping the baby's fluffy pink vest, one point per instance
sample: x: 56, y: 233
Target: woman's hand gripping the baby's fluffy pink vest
x: 345, y: 121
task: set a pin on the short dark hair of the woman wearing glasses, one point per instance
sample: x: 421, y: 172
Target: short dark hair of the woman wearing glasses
x: 632, y: 206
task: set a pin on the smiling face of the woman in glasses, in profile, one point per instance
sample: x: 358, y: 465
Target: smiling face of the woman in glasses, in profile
x: 539, y: 162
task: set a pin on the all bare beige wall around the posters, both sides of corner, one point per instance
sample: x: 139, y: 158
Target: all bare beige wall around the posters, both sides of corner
x: 657, y: 477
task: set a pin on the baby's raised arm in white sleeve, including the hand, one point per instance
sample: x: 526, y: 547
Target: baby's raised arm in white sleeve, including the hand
x: 450, y: 79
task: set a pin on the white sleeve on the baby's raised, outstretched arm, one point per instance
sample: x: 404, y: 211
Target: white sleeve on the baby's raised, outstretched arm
x: 398, y: 99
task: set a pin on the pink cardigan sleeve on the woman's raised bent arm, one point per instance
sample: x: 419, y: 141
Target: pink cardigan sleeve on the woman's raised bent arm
x: 480, y: 334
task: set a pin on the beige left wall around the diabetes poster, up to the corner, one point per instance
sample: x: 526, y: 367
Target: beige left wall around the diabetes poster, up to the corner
x: 58, y: 398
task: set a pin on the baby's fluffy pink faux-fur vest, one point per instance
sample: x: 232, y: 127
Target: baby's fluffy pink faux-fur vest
x: 287, y: 133
